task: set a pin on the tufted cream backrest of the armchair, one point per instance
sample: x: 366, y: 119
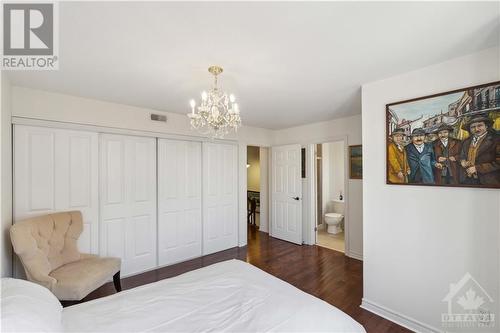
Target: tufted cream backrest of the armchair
x: 47, y: 242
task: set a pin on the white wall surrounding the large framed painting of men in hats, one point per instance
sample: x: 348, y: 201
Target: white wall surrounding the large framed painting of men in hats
x: 418, y: 240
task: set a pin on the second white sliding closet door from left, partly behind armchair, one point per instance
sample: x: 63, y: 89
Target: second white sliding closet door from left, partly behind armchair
x: 128, y: 201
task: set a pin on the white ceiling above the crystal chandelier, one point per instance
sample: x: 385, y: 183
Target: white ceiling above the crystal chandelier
x: 287, y: 63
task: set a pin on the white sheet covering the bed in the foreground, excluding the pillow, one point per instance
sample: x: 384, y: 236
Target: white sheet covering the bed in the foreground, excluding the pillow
x: 231, y: 296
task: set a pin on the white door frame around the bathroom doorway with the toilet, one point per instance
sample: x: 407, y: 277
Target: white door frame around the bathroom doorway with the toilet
x: 311, y: 164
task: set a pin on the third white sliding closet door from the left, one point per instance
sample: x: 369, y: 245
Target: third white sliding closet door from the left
x: 179, y: 201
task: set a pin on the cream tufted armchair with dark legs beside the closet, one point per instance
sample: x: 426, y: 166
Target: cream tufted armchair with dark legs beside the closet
x: 47, y: 247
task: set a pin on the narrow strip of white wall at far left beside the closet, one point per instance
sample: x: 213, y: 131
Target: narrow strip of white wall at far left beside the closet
x: 6, y: 177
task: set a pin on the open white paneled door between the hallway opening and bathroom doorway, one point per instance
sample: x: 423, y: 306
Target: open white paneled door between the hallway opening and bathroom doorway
x: 286, y: 194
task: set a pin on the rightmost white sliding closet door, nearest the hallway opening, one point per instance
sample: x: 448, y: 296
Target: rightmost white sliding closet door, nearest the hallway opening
x: 220, y: 197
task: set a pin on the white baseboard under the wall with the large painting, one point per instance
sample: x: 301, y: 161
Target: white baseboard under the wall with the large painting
x: 398, y: 318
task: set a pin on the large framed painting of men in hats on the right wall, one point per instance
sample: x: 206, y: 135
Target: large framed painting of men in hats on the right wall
x: 447, y: 139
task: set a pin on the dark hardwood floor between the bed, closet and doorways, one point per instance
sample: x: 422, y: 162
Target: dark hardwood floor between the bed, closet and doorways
x: 321, y: 272
